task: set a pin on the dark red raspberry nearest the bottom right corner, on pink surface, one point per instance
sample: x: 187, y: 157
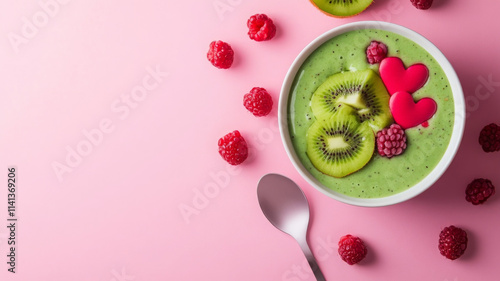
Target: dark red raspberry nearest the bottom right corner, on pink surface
x: 452, y: 242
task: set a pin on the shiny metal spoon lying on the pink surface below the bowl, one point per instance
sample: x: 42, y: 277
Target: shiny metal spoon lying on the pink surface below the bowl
x: 285, y: 206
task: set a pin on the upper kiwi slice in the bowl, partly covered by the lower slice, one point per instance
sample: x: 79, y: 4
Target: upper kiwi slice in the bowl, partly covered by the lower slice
x: 363, y: 90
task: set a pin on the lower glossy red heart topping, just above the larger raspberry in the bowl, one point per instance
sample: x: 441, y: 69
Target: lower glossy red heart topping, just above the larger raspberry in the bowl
x: 409, y: 114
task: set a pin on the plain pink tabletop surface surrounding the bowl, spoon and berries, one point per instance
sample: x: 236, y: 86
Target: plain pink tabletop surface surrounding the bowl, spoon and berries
x: 115, y: 215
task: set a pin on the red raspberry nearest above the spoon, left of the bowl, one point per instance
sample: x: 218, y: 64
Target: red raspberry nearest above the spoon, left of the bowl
x: 233, y: 148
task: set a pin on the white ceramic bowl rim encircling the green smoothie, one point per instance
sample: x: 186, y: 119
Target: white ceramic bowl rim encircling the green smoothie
x: 458, y: 126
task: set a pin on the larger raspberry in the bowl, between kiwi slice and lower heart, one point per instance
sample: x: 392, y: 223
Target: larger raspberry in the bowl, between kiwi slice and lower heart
x: 391, y: 141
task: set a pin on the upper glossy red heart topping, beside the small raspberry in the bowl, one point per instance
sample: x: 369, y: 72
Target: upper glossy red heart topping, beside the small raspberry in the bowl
x: 396, y: 78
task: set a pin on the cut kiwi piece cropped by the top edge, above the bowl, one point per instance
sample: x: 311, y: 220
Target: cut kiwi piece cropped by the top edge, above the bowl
x: 342, y: 8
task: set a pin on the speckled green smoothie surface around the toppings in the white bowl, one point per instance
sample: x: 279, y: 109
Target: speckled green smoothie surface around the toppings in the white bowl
x: 425, y: 145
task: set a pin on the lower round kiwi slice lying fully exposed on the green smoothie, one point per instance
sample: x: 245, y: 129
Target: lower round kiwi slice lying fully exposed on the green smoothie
x: 339, y: 145
